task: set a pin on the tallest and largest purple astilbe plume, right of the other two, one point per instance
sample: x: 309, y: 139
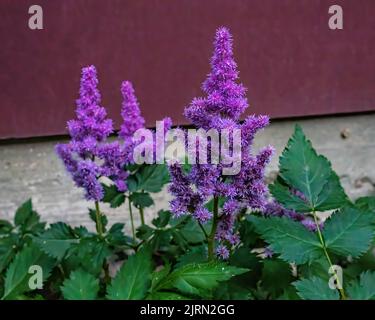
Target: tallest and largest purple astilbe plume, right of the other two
x: 220, y: 109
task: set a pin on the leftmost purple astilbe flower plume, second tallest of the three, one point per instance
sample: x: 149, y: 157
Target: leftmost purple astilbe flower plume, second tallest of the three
x: 88, y: 156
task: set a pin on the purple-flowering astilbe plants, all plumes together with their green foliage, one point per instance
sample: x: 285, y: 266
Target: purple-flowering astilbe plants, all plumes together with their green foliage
x: 276, y: 244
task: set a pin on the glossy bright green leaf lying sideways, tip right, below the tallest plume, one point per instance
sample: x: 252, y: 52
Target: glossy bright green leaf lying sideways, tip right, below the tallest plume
x: 199, y: 279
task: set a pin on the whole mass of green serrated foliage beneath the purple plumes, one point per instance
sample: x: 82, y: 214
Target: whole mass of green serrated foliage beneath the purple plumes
x: 168, y: 258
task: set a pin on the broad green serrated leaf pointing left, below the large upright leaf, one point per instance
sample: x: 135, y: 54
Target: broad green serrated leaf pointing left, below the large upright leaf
x: 288, y: 238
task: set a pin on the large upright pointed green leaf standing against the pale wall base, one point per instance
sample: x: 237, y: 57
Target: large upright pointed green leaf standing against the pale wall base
x: 303, y: 170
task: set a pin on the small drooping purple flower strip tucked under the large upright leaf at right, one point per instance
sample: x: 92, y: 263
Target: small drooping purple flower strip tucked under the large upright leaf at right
x: 275, y: 209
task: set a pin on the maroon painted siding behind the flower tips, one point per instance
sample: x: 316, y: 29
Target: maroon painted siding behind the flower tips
x: 292, y: 63
